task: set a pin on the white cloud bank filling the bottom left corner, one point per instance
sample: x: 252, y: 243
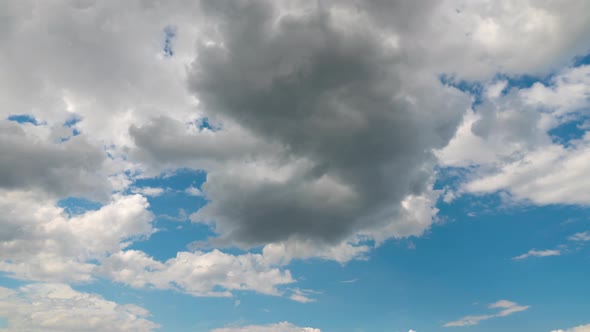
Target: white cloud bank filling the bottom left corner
x: 58, y: 307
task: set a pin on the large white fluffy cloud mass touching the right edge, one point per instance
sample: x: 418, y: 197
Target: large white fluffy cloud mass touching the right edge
x: 508, y: 139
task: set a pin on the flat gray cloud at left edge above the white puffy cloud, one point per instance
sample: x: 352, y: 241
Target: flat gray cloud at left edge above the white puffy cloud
x: 68, y: 168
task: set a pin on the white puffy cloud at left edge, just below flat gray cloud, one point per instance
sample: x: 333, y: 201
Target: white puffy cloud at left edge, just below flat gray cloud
x: 39, y: 241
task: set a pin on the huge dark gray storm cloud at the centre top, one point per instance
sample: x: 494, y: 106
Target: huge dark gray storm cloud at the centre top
x: 352, y: 124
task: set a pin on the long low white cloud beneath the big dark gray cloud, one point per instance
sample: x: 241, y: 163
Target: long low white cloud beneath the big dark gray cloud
x: 198, y: 273
